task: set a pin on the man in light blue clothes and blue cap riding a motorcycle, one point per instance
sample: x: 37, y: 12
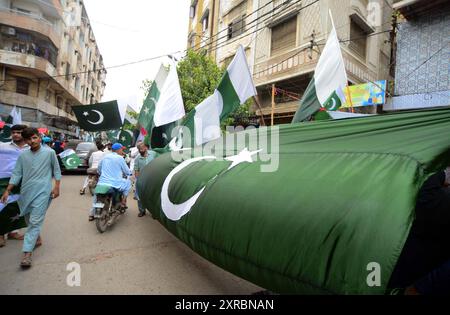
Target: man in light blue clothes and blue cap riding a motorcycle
x: 112, y: 170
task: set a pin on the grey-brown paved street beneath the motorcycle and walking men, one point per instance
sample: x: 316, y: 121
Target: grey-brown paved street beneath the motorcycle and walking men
x: 137, y: 256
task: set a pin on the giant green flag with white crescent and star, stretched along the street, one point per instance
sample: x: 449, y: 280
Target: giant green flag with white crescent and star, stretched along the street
x: 339, y: 200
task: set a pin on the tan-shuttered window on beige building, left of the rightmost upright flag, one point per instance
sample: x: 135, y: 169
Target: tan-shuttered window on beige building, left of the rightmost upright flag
x: 284, y: 36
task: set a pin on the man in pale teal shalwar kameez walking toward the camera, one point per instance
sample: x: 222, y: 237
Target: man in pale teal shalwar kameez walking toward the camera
x: 34, y: 170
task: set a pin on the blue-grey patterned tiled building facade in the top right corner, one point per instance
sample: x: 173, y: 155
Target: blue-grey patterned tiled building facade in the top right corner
x: 422, y: 70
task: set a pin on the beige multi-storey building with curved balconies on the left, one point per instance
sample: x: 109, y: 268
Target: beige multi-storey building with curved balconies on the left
x: 49, y: 61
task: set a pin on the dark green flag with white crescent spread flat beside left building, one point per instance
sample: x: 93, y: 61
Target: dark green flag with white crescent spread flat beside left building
x: 98, y: 117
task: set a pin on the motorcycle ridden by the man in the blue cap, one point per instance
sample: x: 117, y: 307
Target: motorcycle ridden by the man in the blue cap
x: 108, y: 207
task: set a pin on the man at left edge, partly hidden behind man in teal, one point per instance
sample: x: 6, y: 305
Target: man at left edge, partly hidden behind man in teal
x: 10, y: 219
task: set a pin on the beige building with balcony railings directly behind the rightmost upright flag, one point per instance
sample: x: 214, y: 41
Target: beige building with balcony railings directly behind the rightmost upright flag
x: 289, y: 45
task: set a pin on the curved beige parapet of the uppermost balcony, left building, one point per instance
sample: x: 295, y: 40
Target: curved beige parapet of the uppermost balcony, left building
x: 32, y: 23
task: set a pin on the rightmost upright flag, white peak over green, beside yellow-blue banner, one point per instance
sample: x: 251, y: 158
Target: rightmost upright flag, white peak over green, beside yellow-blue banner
x: 326, y: 88
